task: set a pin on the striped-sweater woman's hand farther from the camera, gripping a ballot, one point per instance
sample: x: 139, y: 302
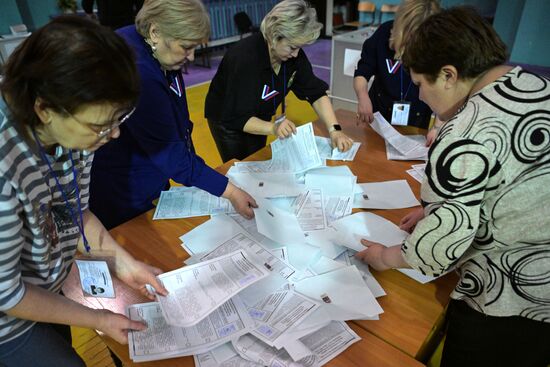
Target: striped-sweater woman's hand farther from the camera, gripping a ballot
x: 137, y: 274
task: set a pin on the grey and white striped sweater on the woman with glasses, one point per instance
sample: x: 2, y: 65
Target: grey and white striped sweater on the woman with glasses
x: 38, y: 237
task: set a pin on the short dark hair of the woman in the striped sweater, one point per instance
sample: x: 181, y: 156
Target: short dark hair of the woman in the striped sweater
x: 69, y: 63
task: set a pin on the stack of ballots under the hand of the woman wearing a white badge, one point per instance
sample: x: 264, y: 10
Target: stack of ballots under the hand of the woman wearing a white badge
x: 398, y: 146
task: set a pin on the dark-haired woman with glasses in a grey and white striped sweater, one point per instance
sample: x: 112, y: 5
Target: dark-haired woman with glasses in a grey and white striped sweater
x: 65, y: 91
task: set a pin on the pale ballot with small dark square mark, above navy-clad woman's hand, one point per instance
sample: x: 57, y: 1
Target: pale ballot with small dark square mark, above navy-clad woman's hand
x: 266, y: 185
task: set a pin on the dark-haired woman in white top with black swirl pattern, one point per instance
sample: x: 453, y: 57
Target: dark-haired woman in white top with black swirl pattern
x: 485, y: 194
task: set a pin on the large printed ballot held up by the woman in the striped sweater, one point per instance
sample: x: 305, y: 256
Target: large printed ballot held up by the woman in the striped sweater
x: 197, y: 290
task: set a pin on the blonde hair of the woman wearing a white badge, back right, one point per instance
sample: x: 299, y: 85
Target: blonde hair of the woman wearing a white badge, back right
x: 409, y: 16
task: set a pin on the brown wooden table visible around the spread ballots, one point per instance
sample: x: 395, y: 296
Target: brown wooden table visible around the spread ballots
x: 410, y: 308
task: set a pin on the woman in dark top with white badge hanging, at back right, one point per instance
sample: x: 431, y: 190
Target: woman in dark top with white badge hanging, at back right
x: 393, y: 94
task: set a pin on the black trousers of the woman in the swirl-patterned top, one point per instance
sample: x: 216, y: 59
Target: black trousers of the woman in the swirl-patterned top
x: 475, y: 339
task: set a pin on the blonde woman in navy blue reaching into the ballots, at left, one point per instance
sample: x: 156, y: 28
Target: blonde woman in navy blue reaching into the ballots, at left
x: 155, y: 145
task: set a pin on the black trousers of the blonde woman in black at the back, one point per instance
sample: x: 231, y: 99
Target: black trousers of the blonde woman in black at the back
x: 234, y: 144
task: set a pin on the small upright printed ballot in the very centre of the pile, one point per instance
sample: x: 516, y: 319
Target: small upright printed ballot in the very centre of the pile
x: 310, y: 210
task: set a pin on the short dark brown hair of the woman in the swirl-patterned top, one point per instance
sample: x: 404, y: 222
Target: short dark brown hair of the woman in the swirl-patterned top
x: 457, y: 36
